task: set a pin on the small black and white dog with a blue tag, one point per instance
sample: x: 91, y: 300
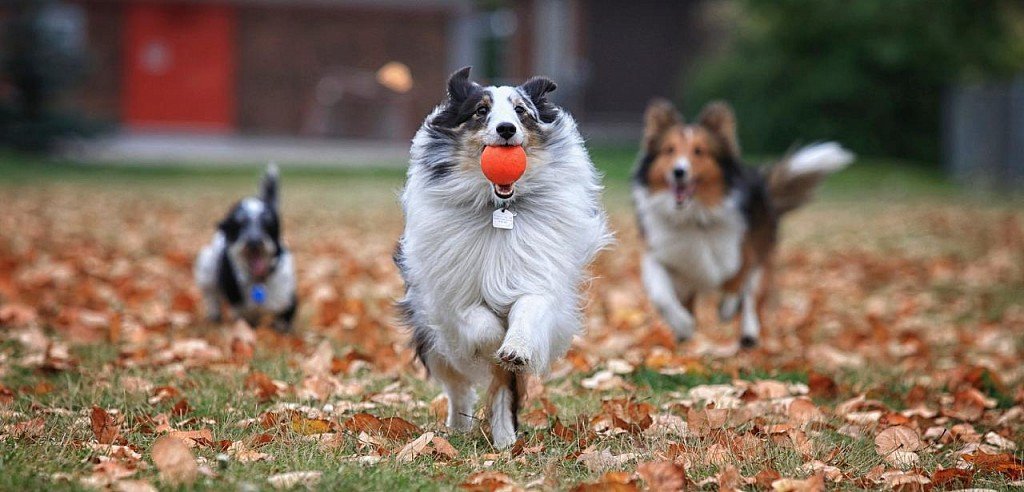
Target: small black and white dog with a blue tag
x: 246, y: 264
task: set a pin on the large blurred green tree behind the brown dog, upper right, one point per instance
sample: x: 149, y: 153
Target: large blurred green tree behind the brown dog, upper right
x: 870, y: 73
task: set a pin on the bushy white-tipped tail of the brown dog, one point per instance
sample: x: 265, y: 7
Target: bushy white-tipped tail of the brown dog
x: 793, y: 181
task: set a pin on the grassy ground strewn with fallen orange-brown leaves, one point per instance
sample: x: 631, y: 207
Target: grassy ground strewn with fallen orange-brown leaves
x: 891, y: 359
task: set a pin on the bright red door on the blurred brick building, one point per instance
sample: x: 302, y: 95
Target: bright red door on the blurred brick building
x: 180, y: 67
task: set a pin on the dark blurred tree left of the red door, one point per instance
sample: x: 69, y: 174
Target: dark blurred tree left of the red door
x: 44, y: 56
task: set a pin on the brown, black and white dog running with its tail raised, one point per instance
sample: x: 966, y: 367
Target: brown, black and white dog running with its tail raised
x: 711, y: 224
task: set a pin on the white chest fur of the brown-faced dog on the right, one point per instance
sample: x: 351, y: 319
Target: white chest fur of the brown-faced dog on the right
x: 702, y: 248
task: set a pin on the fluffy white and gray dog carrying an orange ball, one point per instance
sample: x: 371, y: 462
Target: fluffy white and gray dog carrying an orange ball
x: 490, y: 303
